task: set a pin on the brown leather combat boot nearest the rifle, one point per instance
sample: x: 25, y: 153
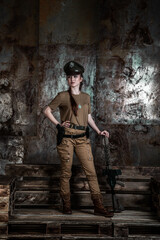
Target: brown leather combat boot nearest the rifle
x: 99, y: 209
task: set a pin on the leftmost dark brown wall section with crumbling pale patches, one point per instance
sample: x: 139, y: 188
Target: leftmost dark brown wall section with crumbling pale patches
x: 18, y: 77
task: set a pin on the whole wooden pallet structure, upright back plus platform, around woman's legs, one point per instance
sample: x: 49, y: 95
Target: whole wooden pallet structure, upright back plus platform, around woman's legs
x: 37, y: 207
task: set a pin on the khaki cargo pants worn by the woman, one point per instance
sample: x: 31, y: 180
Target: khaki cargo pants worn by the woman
x: 82, y: 148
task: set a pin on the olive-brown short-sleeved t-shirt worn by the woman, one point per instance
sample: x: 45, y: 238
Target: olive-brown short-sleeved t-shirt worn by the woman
x: 62, y: 100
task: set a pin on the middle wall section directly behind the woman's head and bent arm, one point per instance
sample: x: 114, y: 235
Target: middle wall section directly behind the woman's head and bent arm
x: 66, y: 31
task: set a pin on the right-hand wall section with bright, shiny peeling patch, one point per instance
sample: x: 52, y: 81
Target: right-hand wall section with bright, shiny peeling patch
x: 127, y: 83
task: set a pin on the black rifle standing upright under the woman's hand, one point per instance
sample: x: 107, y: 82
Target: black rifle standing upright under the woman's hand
x: 112, y: 176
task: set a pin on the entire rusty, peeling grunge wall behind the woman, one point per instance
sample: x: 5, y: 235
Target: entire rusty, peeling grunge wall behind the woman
x: 116, y: 41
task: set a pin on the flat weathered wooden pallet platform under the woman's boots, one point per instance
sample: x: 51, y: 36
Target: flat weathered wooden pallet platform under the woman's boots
x: 51, y: 223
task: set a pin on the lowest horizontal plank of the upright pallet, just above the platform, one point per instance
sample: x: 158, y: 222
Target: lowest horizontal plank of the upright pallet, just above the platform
x: 82, y: 198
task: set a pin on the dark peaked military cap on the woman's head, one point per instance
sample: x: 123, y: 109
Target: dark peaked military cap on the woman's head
x: 73, y: 67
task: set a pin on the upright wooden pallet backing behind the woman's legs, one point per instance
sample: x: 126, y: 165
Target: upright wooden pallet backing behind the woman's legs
x: 39, y: 188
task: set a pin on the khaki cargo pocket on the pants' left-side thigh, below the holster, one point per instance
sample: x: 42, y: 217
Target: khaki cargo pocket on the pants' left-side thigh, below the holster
x: 63, y: 150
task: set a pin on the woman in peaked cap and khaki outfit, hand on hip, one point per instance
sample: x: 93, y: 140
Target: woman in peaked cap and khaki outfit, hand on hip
x: 75, y: 113
